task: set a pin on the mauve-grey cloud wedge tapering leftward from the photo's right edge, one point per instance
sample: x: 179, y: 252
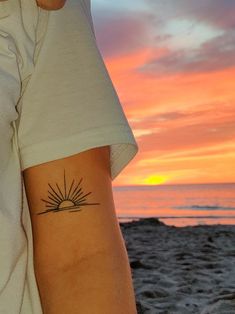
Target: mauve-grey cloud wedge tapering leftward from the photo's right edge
x: 214, y: 55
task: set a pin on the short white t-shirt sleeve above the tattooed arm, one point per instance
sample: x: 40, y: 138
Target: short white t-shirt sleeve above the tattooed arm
x: 70, y: 104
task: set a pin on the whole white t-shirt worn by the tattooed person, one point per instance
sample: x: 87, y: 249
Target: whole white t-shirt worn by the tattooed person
x: 56, y: 100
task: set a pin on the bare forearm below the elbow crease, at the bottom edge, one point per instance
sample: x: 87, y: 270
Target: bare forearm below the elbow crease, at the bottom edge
x: 99, y: 284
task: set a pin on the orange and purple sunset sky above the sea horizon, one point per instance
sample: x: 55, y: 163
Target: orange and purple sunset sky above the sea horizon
x: 173, y: 66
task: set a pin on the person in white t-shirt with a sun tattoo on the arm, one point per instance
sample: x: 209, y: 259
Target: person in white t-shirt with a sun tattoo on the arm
x: 64, y: 138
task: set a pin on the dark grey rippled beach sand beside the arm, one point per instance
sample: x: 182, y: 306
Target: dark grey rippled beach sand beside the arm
x: 181, y: 270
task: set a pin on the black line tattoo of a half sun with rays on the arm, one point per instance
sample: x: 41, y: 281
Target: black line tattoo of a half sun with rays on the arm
x: 71, y: 199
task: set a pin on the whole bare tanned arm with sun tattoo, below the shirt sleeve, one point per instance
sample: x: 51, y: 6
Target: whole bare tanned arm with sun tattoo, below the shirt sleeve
x: 80, y: 259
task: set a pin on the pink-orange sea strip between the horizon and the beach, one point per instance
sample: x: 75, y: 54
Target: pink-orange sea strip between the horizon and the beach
x: 177, y: 205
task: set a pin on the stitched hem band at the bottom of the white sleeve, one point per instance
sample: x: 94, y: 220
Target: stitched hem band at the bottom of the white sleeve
x: 123, y: 147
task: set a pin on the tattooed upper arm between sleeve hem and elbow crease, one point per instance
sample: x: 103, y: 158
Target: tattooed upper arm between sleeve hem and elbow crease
x: 71, y: 208
